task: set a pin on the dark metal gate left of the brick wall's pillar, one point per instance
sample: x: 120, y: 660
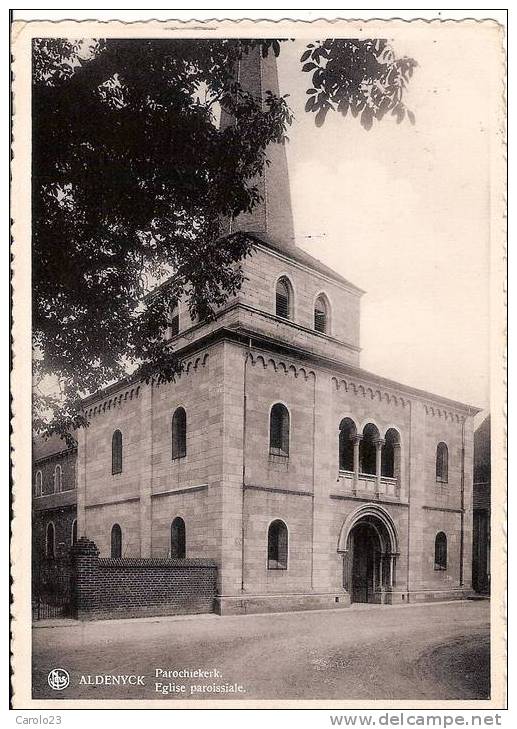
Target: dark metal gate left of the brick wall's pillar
x: 51, y: 588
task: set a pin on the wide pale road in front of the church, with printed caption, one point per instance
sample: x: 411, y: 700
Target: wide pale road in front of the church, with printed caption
x: 438, y: 651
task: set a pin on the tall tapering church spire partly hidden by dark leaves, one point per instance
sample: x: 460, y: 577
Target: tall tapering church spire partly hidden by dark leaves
x: 273, y: 215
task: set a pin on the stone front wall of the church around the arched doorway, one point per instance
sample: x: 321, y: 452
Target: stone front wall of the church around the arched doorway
x: 305, y: 490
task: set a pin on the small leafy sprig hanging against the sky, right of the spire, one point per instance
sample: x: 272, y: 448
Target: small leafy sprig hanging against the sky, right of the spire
x: 363, y: 76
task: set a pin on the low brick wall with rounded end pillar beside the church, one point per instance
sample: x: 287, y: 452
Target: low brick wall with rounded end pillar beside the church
x: 131, y: 587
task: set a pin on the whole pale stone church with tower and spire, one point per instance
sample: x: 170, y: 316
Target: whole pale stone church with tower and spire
x: 311, y: 482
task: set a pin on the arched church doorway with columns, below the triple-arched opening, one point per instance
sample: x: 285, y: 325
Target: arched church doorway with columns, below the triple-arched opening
x: 368, y: 542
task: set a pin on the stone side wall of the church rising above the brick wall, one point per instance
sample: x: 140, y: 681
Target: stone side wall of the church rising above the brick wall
x: 154, y: 488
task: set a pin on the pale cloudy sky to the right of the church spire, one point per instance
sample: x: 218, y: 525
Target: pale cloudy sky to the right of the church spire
x: 403, y: 212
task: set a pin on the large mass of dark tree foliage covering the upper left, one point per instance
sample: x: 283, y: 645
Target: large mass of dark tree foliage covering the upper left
x: 132, y: 180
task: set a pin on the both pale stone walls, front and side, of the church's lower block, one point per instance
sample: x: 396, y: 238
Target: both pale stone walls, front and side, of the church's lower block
x: 229, y: 487
